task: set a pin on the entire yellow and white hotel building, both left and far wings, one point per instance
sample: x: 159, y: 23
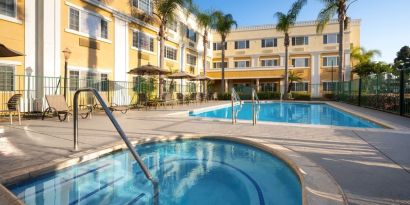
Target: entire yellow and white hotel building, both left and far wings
x: 106, y: 41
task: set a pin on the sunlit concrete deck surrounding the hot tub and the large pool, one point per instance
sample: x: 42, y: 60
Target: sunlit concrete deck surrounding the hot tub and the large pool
x: 372, y: 166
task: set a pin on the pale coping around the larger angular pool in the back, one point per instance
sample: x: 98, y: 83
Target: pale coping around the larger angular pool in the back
x: 384, y: 125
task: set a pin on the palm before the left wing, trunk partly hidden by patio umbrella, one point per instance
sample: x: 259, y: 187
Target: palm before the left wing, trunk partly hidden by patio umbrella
x: 163, y: 12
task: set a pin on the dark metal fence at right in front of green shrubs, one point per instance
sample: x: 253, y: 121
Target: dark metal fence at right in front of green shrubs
x: 387, y: 92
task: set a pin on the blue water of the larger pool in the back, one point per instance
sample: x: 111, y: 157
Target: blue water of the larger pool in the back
x: 305, y: 113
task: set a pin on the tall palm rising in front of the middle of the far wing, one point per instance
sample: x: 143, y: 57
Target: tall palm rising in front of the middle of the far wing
x: 285, y: 21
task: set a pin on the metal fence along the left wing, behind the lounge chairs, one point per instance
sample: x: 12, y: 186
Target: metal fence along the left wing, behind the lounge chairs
x: 35, y: 88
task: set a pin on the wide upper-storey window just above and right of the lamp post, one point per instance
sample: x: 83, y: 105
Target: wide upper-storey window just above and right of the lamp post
x: 90, y: 24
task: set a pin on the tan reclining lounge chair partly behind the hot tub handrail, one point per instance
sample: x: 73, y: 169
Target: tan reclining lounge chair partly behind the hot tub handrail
x: 57, y: 106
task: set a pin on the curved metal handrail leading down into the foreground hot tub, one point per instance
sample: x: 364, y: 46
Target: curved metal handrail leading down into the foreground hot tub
x: 120, y: 131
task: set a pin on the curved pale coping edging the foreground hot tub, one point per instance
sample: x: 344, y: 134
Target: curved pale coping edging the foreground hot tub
x: 310, y: 175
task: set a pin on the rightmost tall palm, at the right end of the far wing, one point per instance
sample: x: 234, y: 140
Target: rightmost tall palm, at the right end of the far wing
x: 332, y: 8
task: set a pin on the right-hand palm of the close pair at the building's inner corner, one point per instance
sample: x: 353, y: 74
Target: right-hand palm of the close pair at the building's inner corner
x: 223, y: 24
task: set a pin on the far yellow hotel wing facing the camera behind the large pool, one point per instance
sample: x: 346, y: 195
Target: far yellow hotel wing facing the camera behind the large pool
x: 255, y: 56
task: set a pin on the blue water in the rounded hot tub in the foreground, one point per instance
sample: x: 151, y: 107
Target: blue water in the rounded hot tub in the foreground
x: 189, y: 172
